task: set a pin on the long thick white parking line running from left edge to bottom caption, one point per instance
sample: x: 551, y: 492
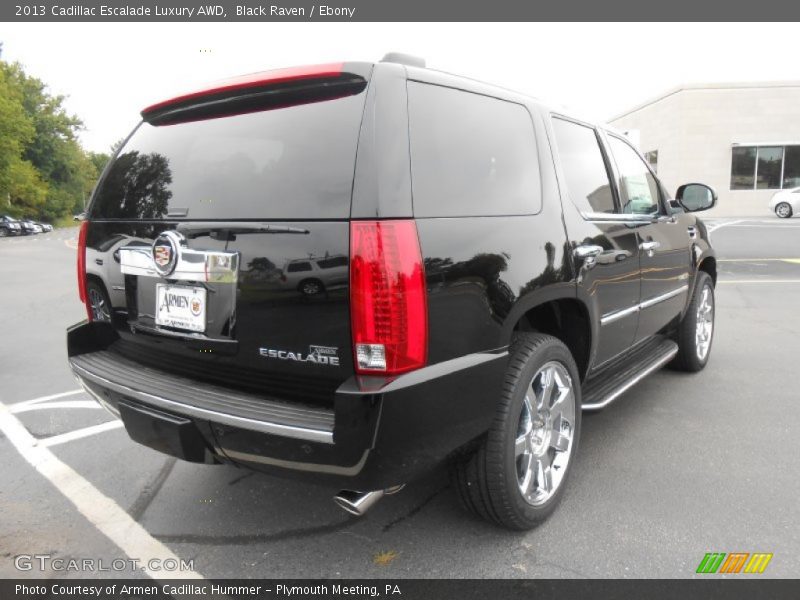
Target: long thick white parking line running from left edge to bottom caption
x: 101, y: 511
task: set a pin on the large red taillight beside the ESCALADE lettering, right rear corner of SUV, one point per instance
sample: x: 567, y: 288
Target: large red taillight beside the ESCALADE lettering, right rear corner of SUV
x: 388, y: 305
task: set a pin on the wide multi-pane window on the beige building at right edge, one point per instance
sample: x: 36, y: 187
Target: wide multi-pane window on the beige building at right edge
x: 765, y: 167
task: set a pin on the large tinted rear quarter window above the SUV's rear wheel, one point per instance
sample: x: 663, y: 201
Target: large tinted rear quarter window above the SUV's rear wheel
x: 471, y: 155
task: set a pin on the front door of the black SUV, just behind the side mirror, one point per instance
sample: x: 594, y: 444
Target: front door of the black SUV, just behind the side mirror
x: 663, y: 238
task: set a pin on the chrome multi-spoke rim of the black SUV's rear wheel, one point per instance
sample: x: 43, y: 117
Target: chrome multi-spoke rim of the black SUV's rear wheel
x: 544, y: 438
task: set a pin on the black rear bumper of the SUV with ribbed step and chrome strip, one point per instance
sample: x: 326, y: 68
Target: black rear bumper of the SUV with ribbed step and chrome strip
x: 379, y: 433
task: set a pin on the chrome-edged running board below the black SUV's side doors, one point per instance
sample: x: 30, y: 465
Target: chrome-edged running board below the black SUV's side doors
x: 601, y: 391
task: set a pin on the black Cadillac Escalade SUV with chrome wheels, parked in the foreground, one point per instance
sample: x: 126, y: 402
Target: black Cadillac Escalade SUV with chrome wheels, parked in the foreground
x: 354, y: 272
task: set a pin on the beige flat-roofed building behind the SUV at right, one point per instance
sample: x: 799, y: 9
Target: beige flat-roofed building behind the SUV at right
x: 743, y: 139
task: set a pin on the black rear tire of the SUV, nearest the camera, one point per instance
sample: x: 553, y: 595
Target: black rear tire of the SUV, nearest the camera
x: 487, y: 481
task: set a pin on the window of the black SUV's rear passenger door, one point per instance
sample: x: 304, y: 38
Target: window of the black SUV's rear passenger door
x: 588, y: 184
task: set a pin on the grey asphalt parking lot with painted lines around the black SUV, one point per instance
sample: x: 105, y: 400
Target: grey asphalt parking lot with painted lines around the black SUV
x: 679, y: 466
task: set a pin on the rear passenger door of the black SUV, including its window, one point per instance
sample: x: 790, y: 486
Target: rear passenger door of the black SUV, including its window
x: 604, y: 245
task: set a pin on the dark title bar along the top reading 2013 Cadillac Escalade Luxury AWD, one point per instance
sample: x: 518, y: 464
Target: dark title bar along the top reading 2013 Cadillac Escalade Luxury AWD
x: 276, y: 11
